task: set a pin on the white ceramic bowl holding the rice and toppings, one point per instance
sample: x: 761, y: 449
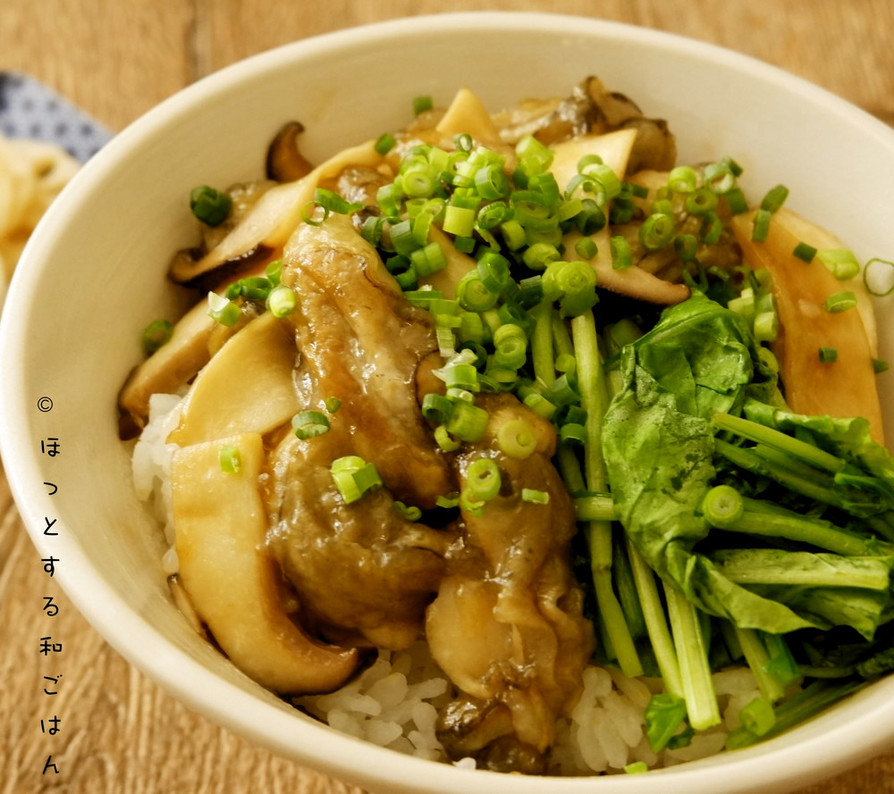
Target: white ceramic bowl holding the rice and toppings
x: 94, y: 275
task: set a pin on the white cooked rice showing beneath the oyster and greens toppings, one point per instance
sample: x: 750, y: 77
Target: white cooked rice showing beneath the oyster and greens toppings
x: 396, y: 699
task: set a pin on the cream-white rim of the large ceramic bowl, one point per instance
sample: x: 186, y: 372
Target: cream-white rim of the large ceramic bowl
x: 172, y: 668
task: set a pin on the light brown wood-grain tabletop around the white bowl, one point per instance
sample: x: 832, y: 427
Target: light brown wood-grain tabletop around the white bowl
x: 119, y: 732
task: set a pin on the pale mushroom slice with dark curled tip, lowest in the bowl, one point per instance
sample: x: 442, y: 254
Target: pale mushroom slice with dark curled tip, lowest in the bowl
x: 231, y: 579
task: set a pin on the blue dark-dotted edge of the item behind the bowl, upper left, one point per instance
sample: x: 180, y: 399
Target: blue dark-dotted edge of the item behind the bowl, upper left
x: 28, y: 109
